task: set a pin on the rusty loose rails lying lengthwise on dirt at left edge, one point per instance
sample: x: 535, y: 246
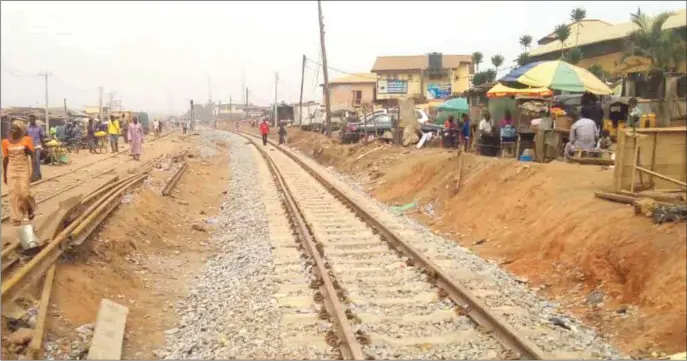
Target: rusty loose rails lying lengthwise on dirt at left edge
x: 77, y: 231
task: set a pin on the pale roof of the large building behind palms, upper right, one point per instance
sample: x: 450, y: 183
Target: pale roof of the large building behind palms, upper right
x: 592, y: 32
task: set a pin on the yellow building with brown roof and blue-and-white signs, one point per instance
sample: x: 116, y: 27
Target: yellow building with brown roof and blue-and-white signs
x: 422, y: 77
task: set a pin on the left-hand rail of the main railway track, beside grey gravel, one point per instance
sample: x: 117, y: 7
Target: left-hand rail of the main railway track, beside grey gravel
x: 350, y: 347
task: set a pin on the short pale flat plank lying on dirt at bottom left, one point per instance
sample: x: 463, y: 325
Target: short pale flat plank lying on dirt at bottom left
x: 109, y: 331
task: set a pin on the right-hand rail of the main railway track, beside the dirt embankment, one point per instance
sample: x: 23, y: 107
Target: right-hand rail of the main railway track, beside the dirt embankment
x: 470, y: 305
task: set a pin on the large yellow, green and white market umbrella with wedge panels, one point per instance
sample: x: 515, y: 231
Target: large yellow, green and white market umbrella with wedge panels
x: 558, y: 75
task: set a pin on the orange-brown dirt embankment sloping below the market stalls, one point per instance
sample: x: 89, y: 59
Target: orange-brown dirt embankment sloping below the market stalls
x: 543, y: 223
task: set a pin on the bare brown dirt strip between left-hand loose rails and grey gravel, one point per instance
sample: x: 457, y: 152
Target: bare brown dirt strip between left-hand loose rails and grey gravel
x: 144, y: 257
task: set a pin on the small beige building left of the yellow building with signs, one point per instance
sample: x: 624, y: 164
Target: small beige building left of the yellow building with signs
x: 352, y: 92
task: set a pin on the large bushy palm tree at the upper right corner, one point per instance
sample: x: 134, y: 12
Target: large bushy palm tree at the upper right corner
x: 663, y: 47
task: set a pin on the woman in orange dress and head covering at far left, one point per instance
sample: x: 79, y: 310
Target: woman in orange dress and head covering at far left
x: 16, y: 151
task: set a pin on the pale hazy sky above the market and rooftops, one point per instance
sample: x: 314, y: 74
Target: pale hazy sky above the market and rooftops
x: 155, y: 56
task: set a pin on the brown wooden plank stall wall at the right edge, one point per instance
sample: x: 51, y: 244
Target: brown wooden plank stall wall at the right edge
x: 660, y: 150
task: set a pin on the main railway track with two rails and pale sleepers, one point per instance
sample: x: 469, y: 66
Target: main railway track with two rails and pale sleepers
x: 395, y: 302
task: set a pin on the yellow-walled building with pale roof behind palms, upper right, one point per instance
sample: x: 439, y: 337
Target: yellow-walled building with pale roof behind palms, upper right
x: 603, y: 44
